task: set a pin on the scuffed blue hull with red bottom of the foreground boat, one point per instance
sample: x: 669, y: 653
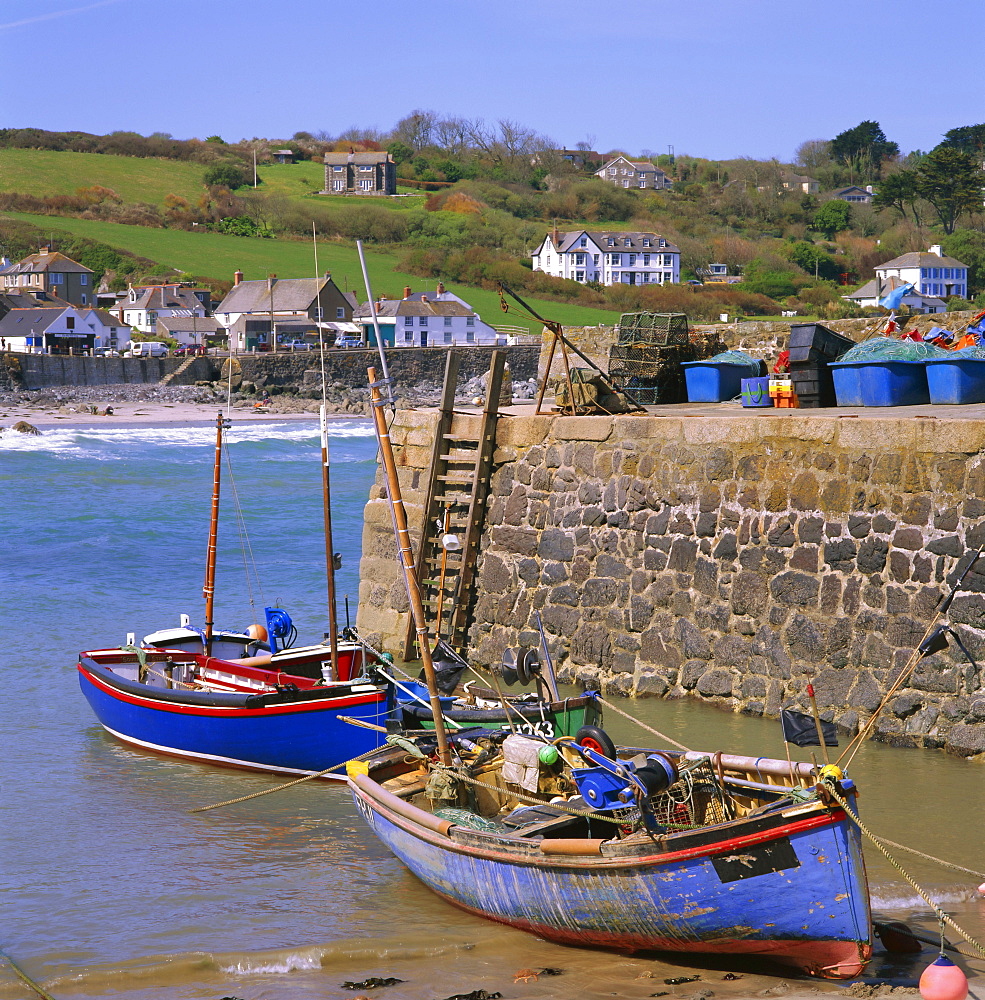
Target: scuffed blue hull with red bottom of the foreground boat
x: 714, y: 900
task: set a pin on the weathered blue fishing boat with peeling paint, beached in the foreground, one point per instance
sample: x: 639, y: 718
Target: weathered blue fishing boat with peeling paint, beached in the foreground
x: 646, y: 851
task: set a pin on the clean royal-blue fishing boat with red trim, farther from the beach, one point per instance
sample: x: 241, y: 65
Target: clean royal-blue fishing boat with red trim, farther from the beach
x: 216, y: 711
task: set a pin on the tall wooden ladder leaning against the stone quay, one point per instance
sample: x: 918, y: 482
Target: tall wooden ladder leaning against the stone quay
x: 458, y: 488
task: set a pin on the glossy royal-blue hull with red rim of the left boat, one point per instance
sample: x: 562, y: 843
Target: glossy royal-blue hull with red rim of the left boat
x: 301, y: 737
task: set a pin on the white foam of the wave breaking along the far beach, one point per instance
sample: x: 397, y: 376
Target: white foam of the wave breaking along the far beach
x: 114, y: 443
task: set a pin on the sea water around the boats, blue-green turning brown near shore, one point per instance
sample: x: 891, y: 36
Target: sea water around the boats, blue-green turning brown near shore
x: 111, y: 887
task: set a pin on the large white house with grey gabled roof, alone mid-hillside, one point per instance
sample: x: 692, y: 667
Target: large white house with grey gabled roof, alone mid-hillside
x: 609, y: 258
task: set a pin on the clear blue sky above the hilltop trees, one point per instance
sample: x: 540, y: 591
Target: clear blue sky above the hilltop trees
x: 715, y: 78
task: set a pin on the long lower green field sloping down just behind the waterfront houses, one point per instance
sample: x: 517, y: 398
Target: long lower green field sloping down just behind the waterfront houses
x: 218, y: 256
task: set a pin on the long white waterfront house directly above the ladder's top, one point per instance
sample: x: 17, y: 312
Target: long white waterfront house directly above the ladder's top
x: 421, y: 319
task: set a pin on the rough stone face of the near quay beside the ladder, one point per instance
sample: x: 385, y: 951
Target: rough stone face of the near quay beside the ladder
x: 727, y: 559
